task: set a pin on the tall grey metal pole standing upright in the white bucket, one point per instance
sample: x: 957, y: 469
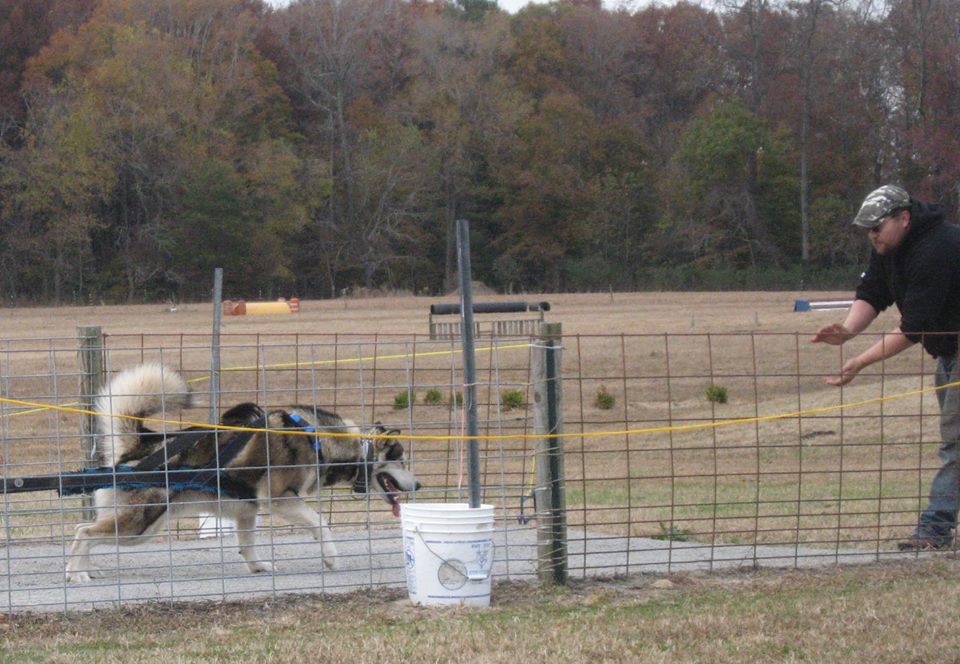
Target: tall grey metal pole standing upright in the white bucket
x: 469, y: 361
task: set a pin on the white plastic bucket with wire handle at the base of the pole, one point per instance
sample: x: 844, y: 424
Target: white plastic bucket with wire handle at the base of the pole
x: 448, y: 553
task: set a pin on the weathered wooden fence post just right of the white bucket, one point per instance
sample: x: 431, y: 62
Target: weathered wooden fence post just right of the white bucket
x: 549, y: 493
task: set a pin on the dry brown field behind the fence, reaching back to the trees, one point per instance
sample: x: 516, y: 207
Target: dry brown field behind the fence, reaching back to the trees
x: 768, y: 481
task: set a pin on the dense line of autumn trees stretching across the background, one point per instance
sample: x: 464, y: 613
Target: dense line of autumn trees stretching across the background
x: 332, y: 145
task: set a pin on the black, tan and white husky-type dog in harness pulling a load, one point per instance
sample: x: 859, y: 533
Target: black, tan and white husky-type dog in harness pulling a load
x: 271, y: 468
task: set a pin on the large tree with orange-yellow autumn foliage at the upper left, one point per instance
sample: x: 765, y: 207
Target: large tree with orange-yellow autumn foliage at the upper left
x: 163, y: 119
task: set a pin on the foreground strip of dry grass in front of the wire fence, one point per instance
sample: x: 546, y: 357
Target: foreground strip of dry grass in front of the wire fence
x: 889, y: 613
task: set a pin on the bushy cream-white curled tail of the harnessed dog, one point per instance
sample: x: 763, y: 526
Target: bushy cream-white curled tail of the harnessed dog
x: 142, y: 391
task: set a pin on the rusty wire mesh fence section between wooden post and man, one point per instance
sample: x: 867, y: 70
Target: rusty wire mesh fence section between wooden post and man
x: 732, y: 449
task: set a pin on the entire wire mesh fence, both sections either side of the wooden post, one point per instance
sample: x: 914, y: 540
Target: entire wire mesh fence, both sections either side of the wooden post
x: 681, y: 451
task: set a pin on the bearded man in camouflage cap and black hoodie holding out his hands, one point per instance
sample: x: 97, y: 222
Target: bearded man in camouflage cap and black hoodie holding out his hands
x: 915, y: 263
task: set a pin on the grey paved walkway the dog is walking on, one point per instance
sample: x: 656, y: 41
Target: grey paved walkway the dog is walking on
x: 32, y: 578
